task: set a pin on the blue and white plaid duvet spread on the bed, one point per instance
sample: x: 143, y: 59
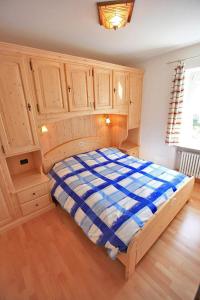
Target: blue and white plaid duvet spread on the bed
x: 111, y: 195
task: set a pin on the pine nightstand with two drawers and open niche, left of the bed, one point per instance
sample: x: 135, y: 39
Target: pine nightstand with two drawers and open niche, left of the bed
x: 30, y: 186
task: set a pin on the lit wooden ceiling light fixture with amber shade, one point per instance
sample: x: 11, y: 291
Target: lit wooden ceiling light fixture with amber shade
x: 115, y: 14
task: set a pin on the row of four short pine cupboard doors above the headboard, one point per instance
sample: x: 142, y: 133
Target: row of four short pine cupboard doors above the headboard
x: 64, y: 87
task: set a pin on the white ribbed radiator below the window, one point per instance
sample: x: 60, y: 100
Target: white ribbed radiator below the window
x: 190, y: 163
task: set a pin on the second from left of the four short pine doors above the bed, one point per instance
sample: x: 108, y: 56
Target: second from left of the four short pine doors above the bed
x: 79, y: 85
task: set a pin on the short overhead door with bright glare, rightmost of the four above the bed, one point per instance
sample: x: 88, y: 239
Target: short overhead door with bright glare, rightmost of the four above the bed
x: 121, y: 89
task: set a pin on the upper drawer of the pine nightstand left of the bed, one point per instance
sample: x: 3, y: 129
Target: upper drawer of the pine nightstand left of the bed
x: 33, y: 193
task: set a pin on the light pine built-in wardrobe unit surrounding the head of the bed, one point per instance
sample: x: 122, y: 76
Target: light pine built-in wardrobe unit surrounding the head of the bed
x: 70, y: 95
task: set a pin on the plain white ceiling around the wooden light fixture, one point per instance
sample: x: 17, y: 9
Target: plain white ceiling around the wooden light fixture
x: 71, y: 26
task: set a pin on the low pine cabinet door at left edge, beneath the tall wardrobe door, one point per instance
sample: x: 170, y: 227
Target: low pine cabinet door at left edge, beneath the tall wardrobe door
x: 5, y: 216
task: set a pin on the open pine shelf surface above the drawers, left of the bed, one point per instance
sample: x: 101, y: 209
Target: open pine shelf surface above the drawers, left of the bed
x: 28, y: 179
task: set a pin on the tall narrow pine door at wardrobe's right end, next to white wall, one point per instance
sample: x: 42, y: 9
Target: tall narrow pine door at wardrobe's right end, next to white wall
x: 135, y: 100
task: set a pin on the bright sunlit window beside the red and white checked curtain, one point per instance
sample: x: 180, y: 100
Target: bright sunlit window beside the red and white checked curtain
x: 190, y: 131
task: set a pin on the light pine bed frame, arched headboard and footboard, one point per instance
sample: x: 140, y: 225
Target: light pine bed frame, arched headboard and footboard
x: 146, y: 237
